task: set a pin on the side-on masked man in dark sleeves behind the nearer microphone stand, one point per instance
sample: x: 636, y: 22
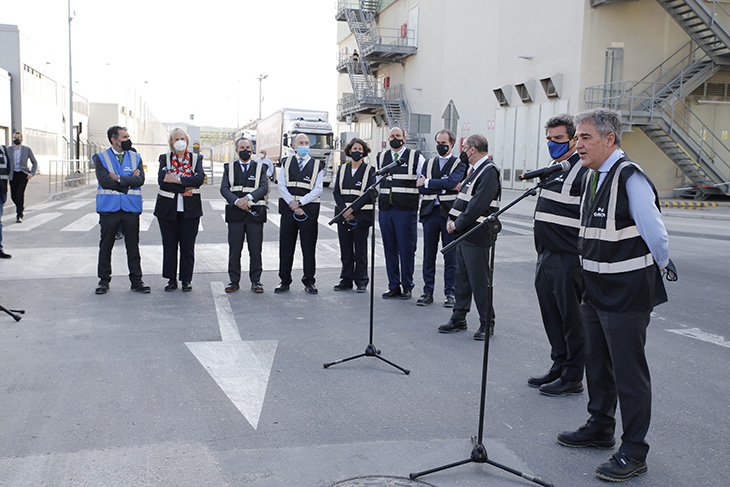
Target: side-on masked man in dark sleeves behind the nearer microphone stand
x: 478, y: 198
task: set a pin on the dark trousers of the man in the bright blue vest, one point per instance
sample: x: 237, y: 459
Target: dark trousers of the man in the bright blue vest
x: 110, y: 223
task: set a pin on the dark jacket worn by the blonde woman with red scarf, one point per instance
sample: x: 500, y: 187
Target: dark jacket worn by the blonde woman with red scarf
x: 166, y: 208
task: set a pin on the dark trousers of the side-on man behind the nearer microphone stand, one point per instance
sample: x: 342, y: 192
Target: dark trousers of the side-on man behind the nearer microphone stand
x: 472, y: 279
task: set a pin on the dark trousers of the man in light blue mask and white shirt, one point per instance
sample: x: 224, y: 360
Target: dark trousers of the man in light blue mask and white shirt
x: 307, y: 230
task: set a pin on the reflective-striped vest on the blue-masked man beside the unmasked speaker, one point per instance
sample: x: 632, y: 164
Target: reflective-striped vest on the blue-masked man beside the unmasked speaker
x: 557, y: 211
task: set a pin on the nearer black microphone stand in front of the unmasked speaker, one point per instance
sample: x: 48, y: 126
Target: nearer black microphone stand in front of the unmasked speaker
x: 479, y: 452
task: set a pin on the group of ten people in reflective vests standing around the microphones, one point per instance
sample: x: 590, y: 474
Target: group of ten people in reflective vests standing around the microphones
x: 602, y: 247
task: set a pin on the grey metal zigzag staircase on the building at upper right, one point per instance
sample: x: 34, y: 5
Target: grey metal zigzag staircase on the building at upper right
x: 655, y: 103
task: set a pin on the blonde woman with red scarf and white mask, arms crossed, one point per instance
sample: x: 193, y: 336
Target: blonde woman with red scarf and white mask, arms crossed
x: 178, y: 208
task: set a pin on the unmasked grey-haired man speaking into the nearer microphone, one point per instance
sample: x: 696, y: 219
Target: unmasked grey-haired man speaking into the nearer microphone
x: 624, y: 248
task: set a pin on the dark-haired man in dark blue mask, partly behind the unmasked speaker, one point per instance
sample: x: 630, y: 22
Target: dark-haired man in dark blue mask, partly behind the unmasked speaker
x: 558, y: 278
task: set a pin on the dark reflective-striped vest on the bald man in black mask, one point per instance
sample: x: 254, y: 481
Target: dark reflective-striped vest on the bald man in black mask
x: 399, y: 190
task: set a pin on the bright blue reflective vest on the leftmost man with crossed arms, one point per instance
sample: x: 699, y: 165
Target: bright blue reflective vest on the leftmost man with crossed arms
x: 109, y: 200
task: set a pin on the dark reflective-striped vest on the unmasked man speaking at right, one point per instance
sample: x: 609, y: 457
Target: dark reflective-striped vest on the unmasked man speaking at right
x: 619, y: 273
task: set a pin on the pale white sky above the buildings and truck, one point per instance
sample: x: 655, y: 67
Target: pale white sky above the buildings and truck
x: 188, y: 57
